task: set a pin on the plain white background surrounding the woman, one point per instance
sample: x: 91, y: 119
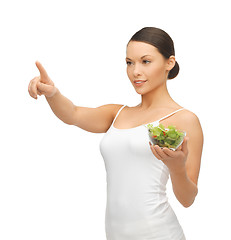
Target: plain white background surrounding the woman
x: 52, y: 175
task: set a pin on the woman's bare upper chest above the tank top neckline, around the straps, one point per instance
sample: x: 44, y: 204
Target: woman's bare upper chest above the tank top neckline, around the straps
x: 131, y: 117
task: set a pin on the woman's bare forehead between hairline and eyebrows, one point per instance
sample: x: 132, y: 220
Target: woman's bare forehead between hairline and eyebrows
x: 136, y: 49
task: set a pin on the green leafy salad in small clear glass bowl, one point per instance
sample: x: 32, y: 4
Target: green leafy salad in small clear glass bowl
x: 165, y: 137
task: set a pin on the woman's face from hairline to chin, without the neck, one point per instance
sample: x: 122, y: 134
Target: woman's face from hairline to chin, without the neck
x: 144, y: 62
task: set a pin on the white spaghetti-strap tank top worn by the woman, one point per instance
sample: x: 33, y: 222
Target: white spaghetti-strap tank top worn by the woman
x: 137, y: 205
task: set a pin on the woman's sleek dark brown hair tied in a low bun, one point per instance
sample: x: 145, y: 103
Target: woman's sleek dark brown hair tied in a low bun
x: 162, y: 41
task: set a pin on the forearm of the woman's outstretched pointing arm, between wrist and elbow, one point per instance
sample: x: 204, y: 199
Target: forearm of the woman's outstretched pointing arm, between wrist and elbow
x: 62, y: 107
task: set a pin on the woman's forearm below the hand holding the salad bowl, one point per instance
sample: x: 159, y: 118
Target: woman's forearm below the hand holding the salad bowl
x: 184, y: 189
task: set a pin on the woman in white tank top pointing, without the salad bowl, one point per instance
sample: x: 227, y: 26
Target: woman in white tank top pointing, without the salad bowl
x: 137, y: 171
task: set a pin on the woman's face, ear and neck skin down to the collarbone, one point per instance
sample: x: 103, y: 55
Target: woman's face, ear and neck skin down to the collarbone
x: 154, y: 68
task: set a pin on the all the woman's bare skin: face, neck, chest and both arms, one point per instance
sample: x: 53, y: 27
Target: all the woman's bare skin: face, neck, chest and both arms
x: 183, y: 164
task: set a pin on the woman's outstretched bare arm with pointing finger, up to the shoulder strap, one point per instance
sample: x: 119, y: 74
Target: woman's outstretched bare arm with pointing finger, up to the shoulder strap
x: 96, y: 120
